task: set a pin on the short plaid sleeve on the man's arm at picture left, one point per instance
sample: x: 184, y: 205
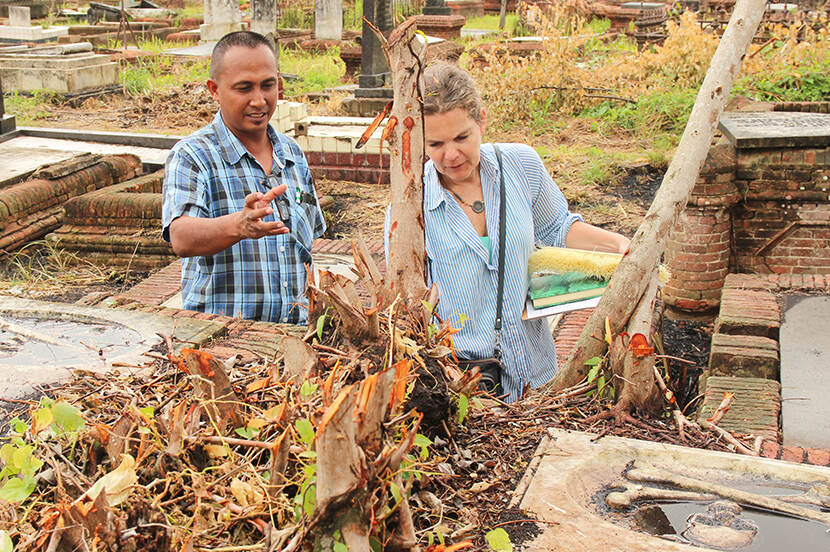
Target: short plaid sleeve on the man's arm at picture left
x: 184, y: 190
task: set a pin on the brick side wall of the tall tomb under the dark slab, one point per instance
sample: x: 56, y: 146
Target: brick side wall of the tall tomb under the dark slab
x: 783, y: 223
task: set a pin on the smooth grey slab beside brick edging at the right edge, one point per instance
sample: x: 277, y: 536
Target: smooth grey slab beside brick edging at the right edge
x: 805, y: 371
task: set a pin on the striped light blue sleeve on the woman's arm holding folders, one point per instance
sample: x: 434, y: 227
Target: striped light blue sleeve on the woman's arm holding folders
x: 551, y: 218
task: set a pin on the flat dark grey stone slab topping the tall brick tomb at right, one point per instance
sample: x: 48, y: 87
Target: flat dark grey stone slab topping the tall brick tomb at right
x: 776, y: 129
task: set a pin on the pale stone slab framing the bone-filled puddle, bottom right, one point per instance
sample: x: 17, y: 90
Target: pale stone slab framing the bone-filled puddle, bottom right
x: 569, y: 469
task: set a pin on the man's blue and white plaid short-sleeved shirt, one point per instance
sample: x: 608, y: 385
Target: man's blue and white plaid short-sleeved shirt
x: 207, y: 175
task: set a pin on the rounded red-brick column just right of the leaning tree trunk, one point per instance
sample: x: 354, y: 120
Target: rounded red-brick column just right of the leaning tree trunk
x: 699, y: 246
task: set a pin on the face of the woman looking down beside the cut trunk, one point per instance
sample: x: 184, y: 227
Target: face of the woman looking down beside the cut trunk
x: 453, y: 141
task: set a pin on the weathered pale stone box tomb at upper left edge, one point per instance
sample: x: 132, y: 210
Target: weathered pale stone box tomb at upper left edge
x: 64, y: 74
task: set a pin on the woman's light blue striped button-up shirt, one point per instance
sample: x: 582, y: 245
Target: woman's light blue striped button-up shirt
x: 467, y: 274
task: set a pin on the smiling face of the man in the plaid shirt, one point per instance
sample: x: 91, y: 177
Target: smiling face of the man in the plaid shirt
x: 246, y: 89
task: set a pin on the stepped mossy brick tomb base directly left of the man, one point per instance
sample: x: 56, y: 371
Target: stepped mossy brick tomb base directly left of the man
x: 118, y: 225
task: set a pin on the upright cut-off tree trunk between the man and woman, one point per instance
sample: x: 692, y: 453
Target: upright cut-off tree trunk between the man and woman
x: 406, y: 257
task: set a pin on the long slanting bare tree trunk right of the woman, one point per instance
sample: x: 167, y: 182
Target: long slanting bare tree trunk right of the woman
x: 629, y: 282
